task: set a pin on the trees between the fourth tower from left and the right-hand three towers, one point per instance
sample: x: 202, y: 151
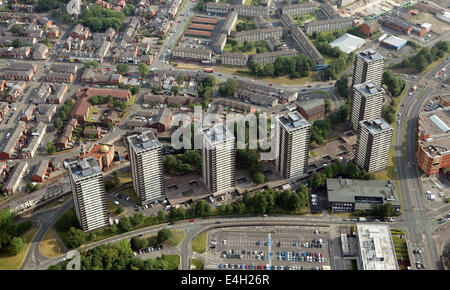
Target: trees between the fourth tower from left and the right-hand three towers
x: 321, y: 128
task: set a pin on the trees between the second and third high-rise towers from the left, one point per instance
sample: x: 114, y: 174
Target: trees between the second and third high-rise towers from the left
x: 185, y: 163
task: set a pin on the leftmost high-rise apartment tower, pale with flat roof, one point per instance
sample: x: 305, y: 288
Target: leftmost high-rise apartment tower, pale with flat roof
x: 89, y: 195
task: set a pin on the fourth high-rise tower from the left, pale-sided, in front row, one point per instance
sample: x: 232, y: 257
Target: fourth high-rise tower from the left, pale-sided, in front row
x: 293, y: 132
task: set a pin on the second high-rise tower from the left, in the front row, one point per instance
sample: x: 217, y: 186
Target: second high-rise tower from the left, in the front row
x: 145, y: 153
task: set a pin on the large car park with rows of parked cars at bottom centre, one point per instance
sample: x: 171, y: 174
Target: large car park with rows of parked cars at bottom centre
x: 269, y: 248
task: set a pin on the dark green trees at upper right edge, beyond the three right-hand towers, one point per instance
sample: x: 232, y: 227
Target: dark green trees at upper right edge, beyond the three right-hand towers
x: 426, y: 56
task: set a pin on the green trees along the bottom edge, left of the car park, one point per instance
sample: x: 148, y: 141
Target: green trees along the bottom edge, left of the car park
x: 116, y: 256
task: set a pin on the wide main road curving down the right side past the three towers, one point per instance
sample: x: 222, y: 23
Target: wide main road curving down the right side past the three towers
x: 413, y: 210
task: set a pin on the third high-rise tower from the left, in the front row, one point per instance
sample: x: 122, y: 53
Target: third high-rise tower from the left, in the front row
x: 218, y: 157
